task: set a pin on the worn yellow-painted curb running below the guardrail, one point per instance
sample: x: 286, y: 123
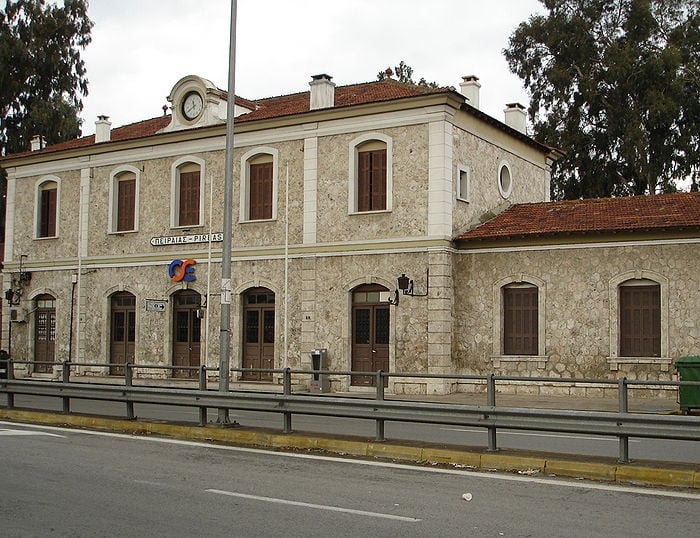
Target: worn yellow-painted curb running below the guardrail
x: 677, y: 475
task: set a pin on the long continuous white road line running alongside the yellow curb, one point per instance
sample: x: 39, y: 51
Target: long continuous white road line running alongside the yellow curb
x: 465, y: 473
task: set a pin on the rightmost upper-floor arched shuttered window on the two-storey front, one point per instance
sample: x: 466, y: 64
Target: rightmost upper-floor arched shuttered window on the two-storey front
x: 370, y: 173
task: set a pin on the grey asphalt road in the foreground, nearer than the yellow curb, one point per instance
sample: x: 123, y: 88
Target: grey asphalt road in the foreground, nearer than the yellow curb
x: 62, y: 483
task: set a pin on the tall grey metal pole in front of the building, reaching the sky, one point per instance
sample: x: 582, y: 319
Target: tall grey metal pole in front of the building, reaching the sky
x: 225, y: 330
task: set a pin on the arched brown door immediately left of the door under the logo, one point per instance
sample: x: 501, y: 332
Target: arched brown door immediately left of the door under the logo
x: 122, y: 330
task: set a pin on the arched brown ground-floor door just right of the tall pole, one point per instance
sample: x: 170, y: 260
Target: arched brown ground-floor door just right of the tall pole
x: 258, y: 333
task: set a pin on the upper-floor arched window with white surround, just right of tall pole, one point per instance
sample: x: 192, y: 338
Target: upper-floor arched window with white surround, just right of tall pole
x: 259, y: 184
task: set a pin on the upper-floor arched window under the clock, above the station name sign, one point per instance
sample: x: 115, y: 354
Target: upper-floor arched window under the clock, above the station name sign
x: 187, y: 186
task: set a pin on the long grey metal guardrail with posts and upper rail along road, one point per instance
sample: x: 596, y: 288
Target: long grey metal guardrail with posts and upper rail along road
x: 621, y: 424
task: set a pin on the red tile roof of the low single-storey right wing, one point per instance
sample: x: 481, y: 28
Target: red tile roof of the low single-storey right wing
x: 600, y: 215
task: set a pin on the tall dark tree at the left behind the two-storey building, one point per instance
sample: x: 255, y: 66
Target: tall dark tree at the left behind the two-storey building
x: 42, y: 76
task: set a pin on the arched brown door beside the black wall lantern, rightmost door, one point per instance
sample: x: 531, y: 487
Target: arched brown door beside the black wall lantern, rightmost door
x: 370, y: 333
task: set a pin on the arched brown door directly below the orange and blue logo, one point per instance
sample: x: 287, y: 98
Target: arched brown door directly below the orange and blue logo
x: 187, y: 331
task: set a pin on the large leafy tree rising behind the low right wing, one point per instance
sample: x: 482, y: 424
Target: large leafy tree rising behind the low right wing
x: 615, y: 85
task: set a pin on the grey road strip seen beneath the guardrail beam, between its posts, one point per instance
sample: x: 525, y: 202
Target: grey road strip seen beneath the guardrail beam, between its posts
x: 640, y: 449
